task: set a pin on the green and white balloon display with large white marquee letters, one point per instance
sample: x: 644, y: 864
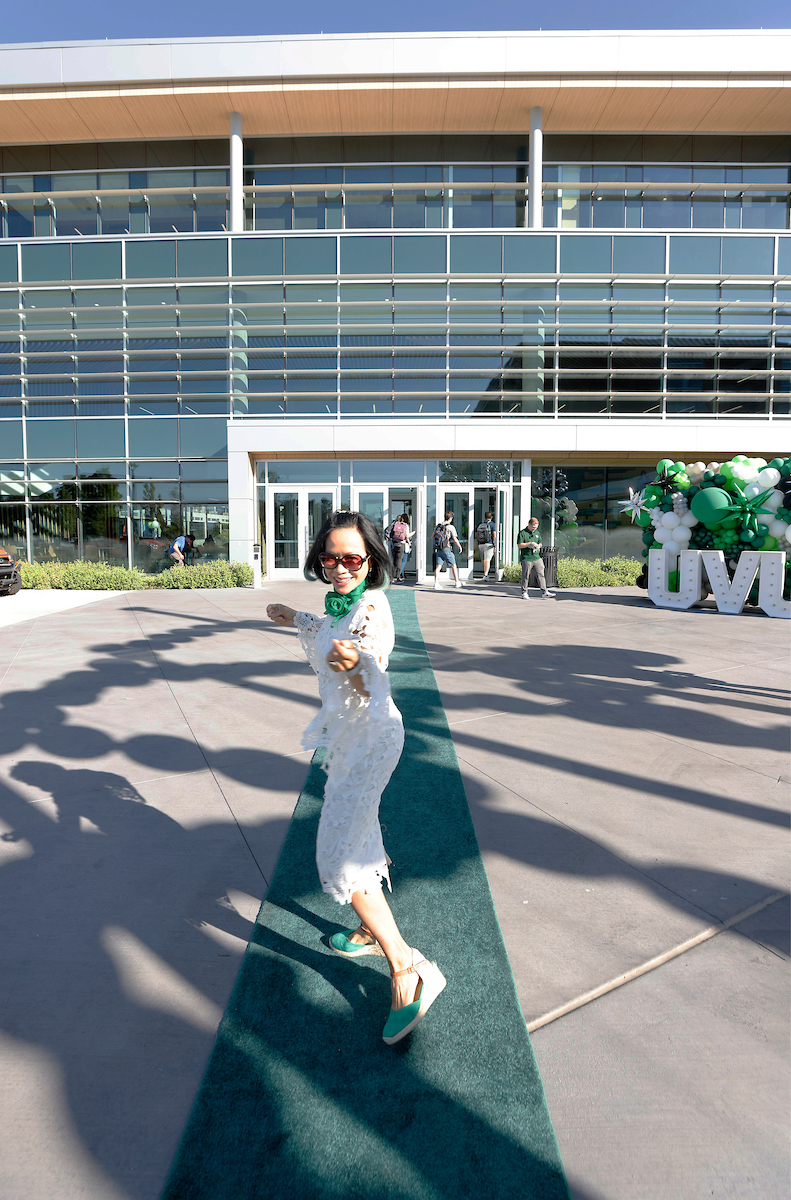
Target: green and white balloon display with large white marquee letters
x: 721, y: 530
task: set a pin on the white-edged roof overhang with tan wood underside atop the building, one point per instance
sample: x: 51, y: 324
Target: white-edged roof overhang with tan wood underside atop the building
x: 603, y: 82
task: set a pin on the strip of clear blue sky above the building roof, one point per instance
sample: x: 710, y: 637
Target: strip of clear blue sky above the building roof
x: 93, y: 20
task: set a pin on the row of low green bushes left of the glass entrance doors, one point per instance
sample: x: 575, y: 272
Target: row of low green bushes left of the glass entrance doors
x: 81, y: 577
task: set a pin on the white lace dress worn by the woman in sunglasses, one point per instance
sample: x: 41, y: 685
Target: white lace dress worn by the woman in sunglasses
x: 363, y: 740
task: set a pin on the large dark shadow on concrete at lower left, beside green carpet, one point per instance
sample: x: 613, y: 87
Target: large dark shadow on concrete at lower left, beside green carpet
x: 106, y: 965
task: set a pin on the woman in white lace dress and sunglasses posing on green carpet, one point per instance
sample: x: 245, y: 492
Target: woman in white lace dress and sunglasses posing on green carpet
x: 362, y: 734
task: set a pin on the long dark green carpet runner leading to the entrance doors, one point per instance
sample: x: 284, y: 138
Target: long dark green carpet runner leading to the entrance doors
x: 302, y: 1100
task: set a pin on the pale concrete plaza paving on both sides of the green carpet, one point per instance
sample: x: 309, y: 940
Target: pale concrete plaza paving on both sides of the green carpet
x: 628, y: 776
